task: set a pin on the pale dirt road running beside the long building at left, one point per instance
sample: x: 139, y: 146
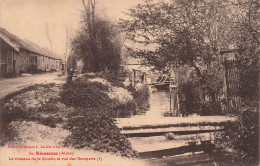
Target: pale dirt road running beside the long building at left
x: 10, y: 85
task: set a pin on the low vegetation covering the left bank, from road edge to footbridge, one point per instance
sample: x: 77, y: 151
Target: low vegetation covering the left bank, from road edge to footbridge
x: 91, y: 117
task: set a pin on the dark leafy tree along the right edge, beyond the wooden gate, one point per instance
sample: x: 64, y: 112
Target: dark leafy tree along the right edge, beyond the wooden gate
x: 247, y: 32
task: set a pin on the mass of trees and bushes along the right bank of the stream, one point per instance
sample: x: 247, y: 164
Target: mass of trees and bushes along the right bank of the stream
x: 212, y: 40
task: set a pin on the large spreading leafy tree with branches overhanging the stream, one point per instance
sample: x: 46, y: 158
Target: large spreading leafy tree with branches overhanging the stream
x: 191, y: 32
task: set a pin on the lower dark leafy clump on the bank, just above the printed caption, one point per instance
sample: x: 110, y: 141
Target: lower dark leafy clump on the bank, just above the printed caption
x: 95, y: 128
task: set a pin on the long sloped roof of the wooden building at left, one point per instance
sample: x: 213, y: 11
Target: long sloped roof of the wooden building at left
x: 27, y: 45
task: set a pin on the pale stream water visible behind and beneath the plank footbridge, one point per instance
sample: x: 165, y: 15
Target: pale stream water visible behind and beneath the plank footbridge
x: 158, y: 104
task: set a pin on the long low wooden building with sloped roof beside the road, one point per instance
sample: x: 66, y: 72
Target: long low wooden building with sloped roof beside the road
x: 23, y: 56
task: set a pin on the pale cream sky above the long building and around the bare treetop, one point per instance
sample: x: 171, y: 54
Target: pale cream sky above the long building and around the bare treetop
x: 28, y: 19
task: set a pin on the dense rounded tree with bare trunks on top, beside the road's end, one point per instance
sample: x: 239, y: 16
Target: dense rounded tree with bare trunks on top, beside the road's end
x: 97, y: 42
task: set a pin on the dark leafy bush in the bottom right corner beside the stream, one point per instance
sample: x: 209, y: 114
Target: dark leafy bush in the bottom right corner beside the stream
x: 242, y: 137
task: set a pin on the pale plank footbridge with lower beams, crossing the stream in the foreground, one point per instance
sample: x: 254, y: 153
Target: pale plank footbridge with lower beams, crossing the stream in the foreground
x: 174, y: 140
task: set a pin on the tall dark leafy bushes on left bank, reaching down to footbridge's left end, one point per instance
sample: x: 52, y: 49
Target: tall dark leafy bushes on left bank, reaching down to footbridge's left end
x: 92, y: 121
